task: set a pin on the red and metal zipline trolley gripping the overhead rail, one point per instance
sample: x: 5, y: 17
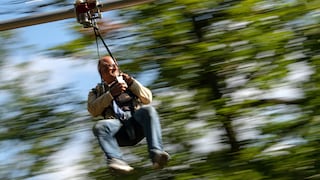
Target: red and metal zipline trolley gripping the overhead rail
x: 87, y: 11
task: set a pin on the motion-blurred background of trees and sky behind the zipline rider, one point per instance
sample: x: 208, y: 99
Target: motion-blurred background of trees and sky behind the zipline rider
x: 235, y: 82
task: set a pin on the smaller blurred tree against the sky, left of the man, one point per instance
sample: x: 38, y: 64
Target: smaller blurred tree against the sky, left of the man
x: 33, y: 125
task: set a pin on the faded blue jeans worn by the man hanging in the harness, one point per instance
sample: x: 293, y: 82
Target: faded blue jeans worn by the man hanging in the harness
x: 146, y: 117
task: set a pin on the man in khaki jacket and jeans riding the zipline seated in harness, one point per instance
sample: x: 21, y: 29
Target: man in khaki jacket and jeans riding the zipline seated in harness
x: 121, y: 102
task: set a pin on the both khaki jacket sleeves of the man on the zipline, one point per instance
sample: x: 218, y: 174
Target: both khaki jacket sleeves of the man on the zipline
x: 100, y: 100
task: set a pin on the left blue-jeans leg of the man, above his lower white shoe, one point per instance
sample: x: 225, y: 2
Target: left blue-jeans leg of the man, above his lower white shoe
x: 105, y: 131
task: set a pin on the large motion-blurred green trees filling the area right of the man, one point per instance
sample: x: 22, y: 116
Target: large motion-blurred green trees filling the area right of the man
x: 205, y: 55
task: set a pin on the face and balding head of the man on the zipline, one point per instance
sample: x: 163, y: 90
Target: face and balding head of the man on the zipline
x: 109, y: 69
